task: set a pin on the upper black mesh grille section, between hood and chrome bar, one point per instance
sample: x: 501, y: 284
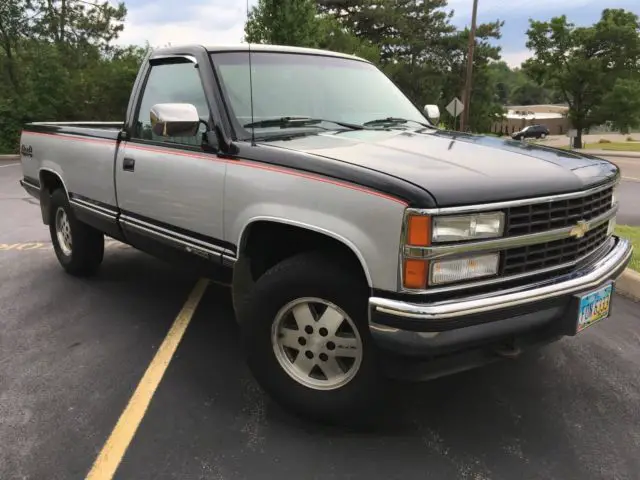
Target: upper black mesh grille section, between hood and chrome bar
x: 541, y: 217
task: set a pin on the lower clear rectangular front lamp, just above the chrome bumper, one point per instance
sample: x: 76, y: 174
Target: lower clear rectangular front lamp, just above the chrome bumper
x: 468, y: 268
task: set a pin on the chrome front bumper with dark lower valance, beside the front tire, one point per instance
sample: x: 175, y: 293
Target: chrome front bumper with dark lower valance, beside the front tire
x: 400, y: 324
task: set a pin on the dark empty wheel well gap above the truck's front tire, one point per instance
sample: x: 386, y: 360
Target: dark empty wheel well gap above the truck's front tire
x: 267, y: 243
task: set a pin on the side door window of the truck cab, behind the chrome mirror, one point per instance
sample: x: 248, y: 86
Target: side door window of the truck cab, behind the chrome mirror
x: 171, y: 83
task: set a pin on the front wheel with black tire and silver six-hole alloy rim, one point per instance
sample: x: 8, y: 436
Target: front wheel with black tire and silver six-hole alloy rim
x: 307, y: 340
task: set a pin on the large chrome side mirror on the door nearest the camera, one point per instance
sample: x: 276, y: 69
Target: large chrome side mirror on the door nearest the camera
x: 174, y: 120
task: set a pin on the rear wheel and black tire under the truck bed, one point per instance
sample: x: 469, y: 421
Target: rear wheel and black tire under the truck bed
x: 78, y: 246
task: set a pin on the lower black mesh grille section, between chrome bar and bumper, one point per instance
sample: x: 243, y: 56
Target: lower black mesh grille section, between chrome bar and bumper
x: 551, y: 254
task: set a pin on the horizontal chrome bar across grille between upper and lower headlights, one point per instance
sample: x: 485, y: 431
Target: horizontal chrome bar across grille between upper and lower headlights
x: 440, y: 251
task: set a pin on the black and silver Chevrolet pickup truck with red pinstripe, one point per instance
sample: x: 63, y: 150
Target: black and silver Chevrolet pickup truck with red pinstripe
x: 360, y: 241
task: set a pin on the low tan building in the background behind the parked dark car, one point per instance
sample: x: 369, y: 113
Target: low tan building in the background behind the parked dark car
x: 554, y: 117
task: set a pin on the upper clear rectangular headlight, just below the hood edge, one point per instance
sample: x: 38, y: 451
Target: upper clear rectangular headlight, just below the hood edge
x: 468, y: 227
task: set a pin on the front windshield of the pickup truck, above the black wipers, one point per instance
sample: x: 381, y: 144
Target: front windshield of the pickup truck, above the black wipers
x: 313, y: 86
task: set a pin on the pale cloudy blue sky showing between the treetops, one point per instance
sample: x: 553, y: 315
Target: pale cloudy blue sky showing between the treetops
x: 212, y: 22
